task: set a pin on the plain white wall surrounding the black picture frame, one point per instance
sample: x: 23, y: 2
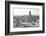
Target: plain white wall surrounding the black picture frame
x: 2, y: 18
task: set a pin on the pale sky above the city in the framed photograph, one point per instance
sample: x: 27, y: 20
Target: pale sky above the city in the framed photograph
x: 25, y: 11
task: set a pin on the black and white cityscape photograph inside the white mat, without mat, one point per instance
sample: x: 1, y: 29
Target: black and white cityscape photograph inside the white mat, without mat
x: 25, y: 17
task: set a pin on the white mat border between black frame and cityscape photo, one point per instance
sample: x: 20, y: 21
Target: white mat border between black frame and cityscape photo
x: 24, y: 29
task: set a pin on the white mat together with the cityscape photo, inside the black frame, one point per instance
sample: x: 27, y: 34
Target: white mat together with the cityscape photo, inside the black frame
x: 25, y: 17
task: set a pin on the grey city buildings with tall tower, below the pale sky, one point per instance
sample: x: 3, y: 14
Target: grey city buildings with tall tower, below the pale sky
x: 26, y: 21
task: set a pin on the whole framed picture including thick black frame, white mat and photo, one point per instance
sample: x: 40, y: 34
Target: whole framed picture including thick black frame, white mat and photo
x: 24, y: 17
